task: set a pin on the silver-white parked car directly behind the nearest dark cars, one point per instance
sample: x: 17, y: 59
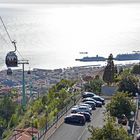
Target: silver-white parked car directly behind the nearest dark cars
x: 80, y: 109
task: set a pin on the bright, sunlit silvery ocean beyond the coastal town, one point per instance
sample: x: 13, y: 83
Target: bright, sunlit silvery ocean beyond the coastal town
x: 51, y: 36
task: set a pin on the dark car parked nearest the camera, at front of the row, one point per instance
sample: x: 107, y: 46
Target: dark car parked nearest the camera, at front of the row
x: 75, y: 118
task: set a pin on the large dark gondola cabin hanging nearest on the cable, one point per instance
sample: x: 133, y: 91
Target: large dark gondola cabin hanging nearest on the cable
x: 11, y: 59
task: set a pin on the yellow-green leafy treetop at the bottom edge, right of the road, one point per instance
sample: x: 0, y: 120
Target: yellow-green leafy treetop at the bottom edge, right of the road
x: 110, y: 131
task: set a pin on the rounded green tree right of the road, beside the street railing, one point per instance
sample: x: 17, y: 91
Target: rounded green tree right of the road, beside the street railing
x: 120, y: 104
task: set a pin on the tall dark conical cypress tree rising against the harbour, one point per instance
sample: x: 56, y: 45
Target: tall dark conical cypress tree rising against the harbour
x: 109, y: 71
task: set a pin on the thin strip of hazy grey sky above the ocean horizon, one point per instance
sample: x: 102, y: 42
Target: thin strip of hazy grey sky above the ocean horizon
x: 65, y: 1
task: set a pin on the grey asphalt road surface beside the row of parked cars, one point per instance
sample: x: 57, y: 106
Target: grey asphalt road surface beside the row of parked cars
x: 74, y: 132
